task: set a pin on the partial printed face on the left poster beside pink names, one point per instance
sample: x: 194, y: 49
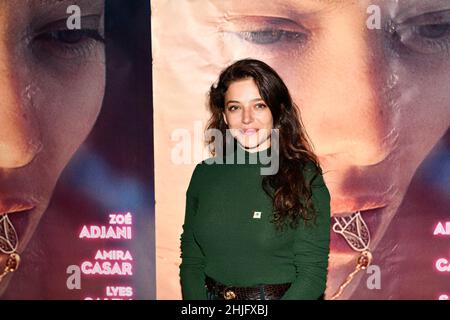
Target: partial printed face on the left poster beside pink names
x: 52, y: 86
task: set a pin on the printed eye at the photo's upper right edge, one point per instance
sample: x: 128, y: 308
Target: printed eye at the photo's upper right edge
x: 427, y: 34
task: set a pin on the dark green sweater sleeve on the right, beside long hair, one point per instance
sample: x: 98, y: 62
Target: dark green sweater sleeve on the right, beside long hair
x: 312, y: 247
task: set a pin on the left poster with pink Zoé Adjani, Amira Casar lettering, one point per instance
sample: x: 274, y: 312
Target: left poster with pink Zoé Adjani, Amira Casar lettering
x: 76, y: 151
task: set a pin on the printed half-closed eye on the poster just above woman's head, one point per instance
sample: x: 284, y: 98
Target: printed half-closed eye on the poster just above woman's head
x: 266, y: 37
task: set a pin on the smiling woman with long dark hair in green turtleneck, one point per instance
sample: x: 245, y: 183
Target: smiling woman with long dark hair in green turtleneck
x: 248, y: 236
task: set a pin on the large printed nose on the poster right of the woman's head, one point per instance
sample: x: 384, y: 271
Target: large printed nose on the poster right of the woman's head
x: 353, y: 120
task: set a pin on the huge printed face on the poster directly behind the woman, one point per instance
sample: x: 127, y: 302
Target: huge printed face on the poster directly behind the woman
x: 374, y: 101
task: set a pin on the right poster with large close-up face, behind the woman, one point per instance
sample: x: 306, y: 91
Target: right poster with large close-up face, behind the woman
x: 370, y: 79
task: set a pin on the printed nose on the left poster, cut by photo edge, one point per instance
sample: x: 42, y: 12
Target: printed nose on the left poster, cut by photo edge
x: 19, y: 133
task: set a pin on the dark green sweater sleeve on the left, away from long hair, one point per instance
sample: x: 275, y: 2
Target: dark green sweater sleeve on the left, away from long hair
x: 192, y: 258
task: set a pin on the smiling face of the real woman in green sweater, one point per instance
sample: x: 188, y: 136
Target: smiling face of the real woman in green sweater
x: 247, y: 115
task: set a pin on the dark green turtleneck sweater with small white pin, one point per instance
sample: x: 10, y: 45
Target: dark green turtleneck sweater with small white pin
x: 224, y: 238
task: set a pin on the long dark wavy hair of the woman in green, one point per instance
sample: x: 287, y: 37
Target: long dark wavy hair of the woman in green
x: 290, y: 192
